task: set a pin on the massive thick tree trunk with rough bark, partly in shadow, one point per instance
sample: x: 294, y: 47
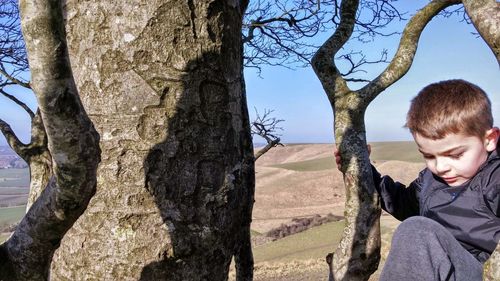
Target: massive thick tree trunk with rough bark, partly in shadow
x: 163, y: 84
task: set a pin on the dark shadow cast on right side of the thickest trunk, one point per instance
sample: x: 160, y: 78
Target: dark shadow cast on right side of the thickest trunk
x: 202, y: 175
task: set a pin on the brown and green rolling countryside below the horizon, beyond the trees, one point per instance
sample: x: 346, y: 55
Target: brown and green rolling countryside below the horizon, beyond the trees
x: 294, y: 182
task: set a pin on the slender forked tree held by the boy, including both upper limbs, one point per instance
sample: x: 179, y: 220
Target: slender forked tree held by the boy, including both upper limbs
x: 358, y: 253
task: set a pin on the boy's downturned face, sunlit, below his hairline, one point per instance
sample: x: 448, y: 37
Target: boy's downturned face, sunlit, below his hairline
x: 456, y: 158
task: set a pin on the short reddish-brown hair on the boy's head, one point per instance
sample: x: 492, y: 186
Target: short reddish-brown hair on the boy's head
x: 452, y: 106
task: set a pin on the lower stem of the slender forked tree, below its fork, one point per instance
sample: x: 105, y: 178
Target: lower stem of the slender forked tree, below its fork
x: 358, y: 253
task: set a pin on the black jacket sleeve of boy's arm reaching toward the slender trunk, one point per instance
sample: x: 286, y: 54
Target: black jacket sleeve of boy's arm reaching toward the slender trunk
x: 400, y: 201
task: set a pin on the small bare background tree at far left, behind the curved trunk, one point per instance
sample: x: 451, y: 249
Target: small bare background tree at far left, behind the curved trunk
x: 13, y: 69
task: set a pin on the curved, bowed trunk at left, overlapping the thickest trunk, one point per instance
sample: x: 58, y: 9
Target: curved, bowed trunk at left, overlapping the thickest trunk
x: 71, y: 138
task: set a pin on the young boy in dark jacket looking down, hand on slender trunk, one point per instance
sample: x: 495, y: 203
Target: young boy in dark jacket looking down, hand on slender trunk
x: 451, y: 211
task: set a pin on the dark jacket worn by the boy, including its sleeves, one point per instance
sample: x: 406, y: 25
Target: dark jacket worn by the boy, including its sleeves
x: 470, y: 212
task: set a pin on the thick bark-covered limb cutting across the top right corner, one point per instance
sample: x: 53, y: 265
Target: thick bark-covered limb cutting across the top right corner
x: 485, y: 15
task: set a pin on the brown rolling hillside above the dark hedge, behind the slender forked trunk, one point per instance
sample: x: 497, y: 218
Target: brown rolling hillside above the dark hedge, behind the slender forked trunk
x: 302, y: 180
